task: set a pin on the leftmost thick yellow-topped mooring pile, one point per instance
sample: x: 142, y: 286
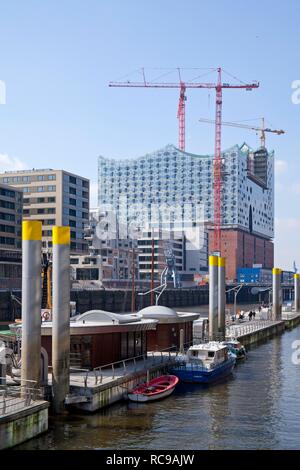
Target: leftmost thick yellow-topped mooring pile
x: 31, y: 301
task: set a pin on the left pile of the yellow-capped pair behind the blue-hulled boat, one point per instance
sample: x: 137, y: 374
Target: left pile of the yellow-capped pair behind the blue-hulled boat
x: 213, y: 298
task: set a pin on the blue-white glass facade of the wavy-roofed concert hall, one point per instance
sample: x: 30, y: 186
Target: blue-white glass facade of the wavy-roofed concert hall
x: 171, y: 178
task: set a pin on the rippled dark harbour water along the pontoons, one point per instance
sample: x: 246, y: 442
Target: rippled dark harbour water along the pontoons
x: 257, y: 408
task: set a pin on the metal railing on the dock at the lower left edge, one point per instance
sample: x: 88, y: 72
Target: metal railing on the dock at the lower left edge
x: 17, y: 397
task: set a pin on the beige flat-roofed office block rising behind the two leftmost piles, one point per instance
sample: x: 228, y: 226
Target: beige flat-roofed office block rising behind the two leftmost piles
x: 55, y: 197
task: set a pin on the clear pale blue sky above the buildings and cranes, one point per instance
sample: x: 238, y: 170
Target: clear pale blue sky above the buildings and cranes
x: 57, y: 58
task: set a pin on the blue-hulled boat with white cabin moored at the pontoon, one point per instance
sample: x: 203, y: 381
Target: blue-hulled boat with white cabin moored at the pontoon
x: 205, y: 363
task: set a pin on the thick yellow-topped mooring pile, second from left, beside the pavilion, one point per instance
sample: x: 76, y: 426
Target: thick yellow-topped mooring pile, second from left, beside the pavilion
x: 60, y: 317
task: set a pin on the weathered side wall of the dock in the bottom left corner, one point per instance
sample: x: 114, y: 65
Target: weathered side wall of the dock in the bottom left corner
x: 22, y: 425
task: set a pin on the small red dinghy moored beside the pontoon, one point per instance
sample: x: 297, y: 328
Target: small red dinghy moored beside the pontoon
x: 157, y: 388
